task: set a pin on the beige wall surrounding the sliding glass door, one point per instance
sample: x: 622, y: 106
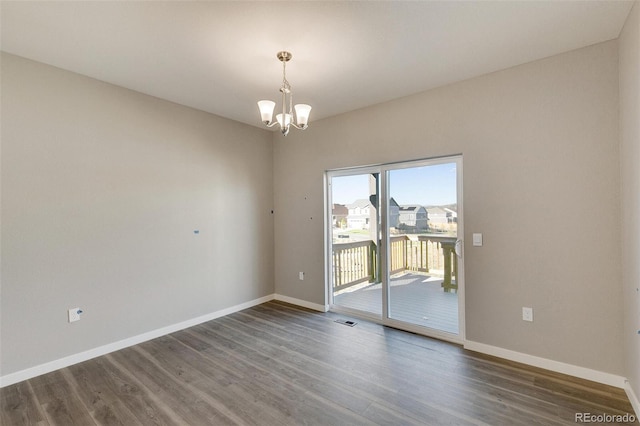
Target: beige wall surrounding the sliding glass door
x: 541, y: 182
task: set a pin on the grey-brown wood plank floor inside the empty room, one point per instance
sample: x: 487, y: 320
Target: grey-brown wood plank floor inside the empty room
x: 276, y: 364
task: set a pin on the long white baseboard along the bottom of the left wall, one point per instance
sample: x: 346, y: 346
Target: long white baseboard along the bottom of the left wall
x: 48, y: 367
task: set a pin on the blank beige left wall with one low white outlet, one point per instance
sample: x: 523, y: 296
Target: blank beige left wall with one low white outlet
x: 102, y: 189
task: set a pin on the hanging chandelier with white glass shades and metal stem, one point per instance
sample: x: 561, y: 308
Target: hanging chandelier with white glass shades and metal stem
x: 285, y: 119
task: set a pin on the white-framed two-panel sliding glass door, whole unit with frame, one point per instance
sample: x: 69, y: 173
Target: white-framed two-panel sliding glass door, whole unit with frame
x: 394, y: 252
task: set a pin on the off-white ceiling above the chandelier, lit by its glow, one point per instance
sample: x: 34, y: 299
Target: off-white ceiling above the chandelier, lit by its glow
x: 220, y: 57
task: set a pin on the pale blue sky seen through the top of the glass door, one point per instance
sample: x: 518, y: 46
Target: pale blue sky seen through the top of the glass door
x: 428, y: 186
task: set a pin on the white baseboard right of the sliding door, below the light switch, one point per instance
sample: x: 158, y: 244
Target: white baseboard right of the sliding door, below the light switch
x: 547, y: 364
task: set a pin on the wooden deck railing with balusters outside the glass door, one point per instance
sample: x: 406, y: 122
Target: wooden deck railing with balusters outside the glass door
x: 354, y: 263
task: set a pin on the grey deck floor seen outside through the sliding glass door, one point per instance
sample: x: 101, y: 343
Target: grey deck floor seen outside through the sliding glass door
x: 414, y: 298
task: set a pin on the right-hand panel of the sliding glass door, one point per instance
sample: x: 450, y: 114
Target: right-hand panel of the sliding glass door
x: 422, y: 227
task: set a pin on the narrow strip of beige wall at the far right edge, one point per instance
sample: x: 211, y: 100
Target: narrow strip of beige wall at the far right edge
x: 630, y: 207
